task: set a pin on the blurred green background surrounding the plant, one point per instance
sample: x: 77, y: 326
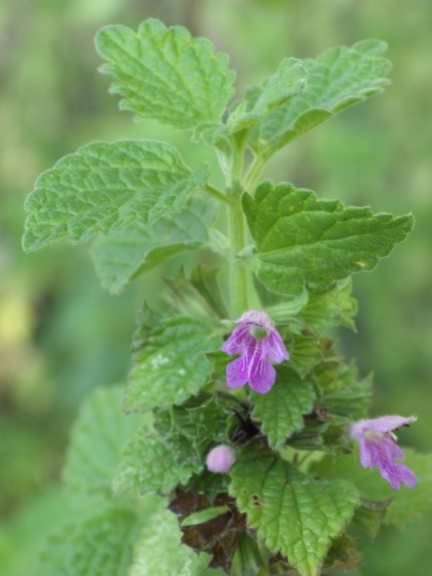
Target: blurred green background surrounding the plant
x: 60, y: 335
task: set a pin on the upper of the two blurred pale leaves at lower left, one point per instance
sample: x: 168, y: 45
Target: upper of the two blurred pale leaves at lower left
x: 98, y: 437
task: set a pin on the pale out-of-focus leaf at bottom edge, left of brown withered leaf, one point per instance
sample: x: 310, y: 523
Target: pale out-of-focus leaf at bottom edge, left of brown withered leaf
x: 159, y: 551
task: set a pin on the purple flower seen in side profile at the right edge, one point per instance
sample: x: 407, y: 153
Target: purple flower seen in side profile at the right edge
x: 378, y: 448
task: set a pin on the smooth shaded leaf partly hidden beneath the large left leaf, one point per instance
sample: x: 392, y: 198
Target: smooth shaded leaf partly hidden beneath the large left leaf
x: 127, y: 251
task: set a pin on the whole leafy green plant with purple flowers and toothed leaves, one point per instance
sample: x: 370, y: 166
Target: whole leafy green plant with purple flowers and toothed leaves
x: 233, y: 448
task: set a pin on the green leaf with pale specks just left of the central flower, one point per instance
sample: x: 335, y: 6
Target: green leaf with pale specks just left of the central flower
x: 172, y: 366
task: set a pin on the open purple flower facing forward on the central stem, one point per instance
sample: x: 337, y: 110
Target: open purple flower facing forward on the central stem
x: 260, y: 346
